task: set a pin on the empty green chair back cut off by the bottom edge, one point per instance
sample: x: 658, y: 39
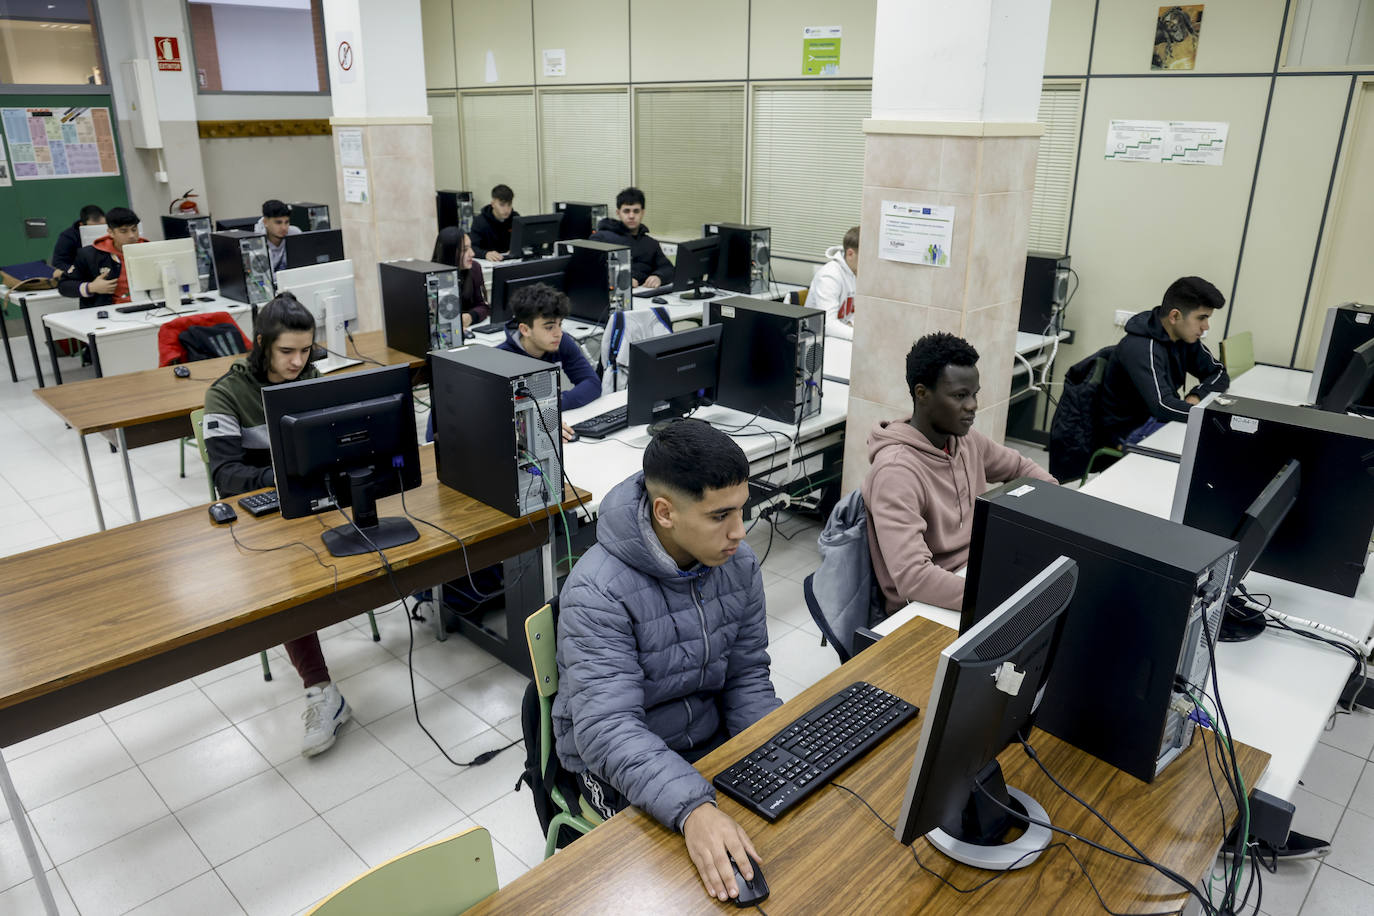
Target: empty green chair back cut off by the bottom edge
x: 442, y: 880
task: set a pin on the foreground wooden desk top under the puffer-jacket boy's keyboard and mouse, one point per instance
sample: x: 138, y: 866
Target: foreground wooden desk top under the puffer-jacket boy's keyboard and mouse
x: 831, y: 855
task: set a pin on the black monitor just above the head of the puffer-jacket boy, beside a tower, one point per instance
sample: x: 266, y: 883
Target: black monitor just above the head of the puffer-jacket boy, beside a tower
x: 670, y: 376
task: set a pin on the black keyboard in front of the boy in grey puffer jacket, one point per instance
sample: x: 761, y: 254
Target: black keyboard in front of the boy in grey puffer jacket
x: 814, y: 749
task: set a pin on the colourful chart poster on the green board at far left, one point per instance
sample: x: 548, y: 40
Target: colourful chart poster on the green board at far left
x: 60, y: 144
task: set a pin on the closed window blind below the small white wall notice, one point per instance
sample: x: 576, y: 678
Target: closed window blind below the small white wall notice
x: 585, y: 146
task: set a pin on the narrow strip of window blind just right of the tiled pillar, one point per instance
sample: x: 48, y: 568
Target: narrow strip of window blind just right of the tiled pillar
x: 1061, y: 106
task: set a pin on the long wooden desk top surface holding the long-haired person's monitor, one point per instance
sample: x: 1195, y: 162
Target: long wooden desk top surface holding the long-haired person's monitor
x: 150, y: 588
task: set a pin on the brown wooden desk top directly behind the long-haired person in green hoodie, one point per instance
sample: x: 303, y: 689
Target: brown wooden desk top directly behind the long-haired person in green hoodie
x: 157, y: 395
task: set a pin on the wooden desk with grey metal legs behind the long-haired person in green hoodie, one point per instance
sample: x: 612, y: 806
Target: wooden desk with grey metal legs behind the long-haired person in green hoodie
x: 155, y: 406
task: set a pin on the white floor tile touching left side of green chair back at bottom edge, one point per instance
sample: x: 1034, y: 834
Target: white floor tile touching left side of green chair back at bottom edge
x: 292, y: 871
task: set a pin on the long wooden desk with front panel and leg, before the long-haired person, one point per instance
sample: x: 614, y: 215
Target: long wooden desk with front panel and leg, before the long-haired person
x: 175, y: 597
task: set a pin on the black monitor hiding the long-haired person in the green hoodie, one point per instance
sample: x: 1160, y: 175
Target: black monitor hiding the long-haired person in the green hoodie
x: 346, y: 440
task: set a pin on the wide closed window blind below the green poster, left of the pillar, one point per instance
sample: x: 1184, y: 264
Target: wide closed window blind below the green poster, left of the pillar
x: 806, y: 165
